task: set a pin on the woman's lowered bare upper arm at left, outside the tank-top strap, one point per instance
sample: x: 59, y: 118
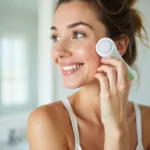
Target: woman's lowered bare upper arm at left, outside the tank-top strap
x: 43, y: 131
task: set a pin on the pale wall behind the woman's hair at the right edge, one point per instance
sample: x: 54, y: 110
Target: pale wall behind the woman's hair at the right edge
x: 142, y: 95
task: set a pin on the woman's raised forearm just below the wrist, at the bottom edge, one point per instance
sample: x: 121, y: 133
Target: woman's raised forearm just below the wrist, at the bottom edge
x: 116, y: 140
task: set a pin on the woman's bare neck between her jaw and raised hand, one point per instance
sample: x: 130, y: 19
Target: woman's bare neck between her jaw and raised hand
x: 87, y: 103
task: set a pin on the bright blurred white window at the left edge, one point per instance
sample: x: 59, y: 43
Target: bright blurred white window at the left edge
x: 14, y: 85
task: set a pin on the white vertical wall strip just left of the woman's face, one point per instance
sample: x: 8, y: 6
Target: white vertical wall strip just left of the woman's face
x: 45, y: 65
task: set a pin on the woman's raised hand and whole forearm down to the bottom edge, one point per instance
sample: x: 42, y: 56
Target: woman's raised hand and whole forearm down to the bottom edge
x: 114, y: 89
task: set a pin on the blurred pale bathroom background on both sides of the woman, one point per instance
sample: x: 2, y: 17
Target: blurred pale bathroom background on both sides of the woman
x: 28, y: 78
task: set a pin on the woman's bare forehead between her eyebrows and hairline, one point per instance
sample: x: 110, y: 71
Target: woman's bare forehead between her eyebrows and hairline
x: 75, y: 11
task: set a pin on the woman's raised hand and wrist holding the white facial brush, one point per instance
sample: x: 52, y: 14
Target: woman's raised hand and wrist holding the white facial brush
x: 114, y: 89
